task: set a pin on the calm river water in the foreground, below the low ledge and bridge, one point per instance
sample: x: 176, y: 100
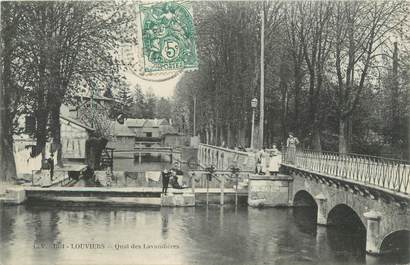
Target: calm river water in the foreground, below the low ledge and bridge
x: 202, y: 235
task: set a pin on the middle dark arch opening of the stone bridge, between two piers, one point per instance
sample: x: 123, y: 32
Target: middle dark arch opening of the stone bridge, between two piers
x: 345, y: 216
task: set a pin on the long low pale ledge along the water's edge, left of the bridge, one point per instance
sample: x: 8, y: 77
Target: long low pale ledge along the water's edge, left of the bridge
x: 140, y: 196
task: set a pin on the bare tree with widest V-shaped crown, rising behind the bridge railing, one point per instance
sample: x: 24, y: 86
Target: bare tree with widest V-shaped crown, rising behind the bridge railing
x: 360, y: 29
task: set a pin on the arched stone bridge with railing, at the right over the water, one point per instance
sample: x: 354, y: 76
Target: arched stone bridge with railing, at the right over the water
x: 368, y: 192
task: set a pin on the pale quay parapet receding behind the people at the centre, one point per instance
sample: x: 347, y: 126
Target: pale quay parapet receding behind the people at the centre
x: 224, y: 158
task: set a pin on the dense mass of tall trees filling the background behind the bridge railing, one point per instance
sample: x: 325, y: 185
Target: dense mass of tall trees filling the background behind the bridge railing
x: 327, y: 66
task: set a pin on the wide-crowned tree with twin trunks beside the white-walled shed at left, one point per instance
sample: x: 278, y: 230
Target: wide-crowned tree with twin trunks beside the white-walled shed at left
x: 61, y: 45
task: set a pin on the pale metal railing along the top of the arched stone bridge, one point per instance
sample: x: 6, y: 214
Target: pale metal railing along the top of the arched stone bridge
x: 379, y: 171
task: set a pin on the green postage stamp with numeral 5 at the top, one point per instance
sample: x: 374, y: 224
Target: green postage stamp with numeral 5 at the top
x: 168, y: 37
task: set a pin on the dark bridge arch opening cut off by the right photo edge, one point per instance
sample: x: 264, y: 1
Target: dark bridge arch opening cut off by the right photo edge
x: 397, y: 242
